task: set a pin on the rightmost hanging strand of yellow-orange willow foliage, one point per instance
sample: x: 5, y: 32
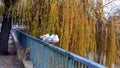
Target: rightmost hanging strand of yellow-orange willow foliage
x: 111, y: 47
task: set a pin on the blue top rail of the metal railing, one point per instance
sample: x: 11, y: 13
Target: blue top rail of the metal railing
x: 64, y: 52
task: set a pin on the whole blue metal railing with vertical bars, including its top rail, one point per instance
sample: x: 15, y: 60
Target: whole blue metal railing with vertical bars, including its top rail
x: 44, y: 55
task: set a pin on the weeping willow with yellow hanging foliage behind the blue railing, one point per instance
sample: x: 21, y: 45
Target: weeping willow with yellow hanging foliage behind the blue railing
x: 79, y: 24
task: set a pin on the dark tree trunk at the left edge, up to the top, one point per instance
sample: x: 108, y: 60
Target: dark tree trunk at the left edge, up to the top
x: 6, y: 27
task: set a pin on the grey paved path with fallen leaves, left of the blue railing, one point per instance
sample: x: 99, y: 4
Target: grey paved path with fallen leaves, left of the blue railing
x: 10, y: 61
